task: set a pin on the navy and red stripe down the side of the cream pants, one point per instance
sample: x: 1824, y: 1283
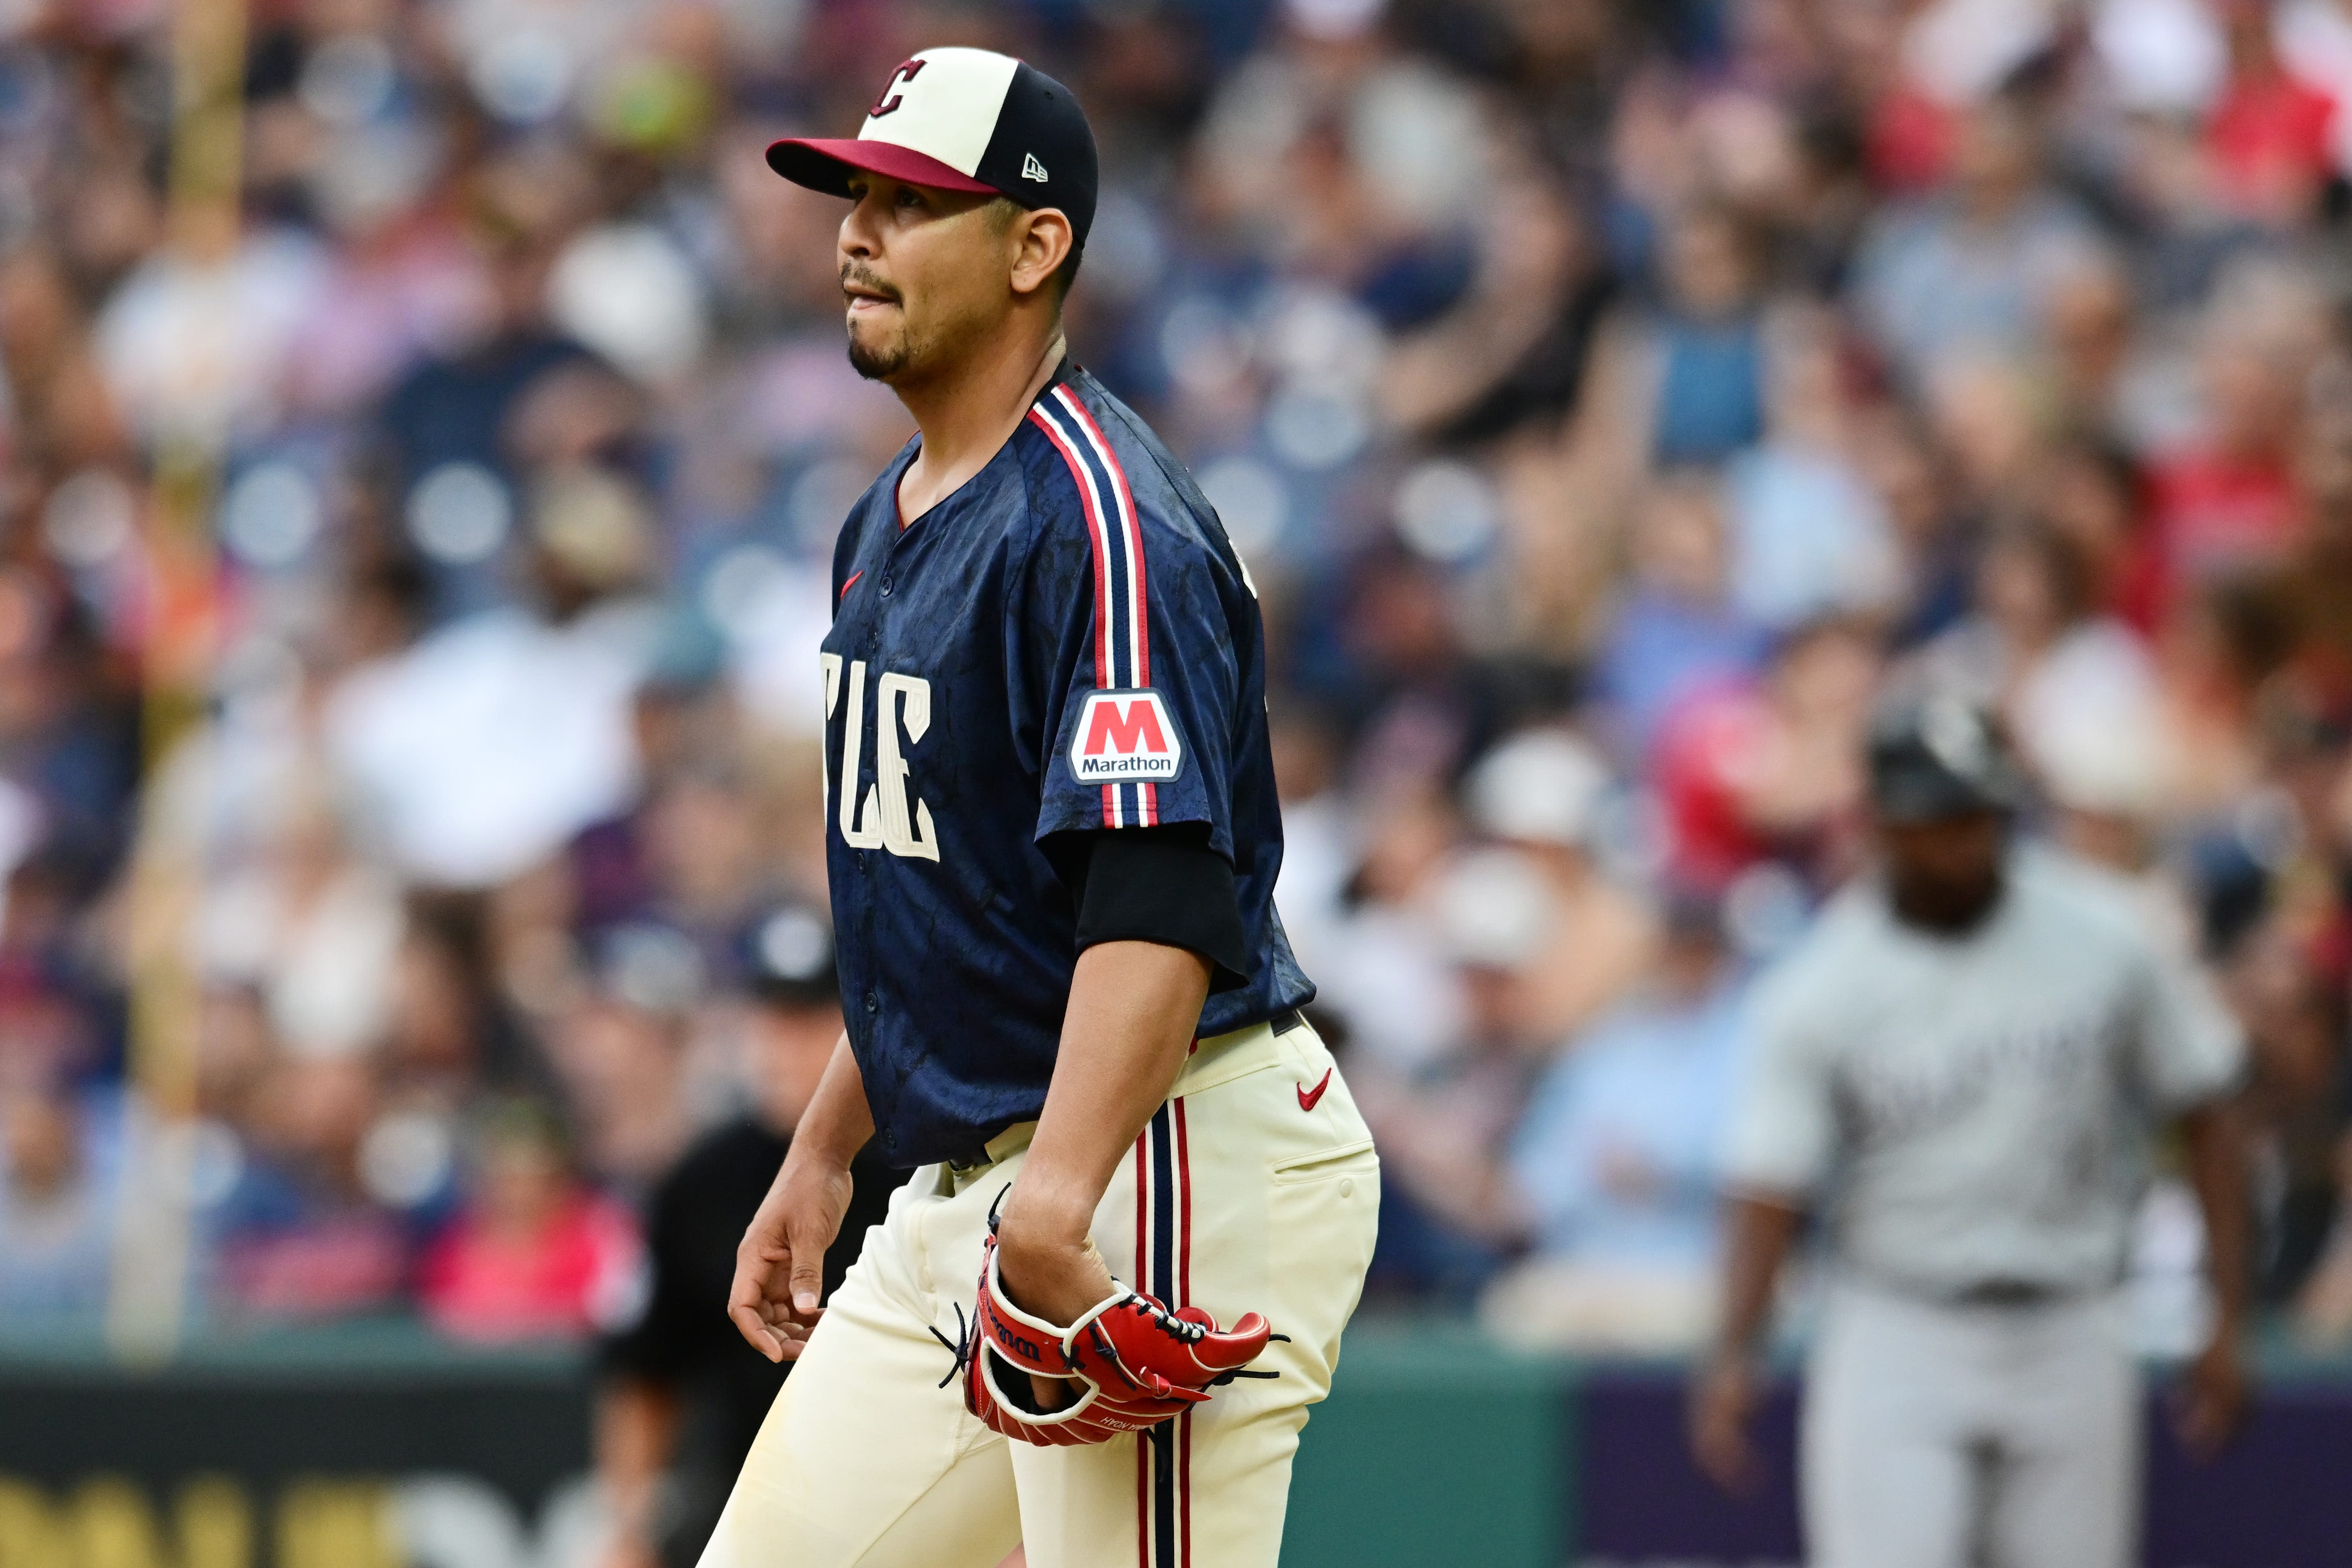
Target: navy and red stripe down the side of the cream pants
x: 1165, y: 1273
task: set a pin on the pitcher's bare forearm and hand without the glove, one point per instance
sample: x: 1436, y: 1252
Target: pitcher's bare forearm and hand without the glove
x: 782, y: 1259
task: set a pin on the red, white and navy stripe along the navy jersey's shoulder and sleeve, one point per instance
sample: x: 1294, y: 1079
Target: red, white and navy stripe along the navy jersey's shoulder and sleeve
x: 1123, y: 619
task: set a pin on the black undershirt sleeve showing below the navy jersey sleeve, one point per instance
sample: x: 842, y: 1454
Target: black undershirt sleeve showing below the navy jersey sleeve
x: 1158, y: 885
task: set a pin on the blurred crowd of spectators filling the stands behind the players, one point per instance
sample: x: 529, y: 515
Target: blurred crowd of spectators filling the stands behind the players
x: 1610, y: 398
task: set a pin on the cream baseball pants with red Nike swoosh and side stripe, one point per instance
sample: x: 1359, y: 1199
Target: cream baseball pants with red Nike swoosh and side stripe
x: 1252, y: 1191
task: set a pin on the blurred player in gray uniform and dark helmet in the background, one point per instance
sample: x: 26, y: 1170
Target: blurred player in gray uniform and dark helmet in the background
x: 1963, y: 1066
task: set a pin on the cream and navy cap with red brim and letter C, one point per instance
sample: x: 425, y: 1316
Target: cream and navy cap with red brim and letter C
x: 963, y: 121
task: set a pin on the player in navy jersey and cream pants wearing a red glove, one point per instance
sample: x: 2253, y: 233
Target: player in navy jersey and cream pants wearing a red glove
x: 1142, y: 1202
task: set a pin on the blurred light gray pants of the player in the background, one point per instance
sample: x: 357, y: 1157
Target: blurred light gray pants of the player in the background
x: 1956, y: 1435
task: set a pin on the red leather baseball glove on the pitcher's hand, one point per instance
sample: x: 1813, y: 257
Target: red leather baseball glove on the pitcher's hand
x: 1132, y: 1362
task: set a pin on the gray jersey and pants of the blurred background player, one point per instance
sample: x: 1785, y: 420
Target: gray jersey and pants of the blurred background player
x: 1975, y: 1120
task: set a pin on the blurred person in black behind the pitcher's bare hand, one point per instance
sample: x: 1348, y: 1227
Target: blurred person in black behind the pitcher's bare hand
x: 683, y: 1395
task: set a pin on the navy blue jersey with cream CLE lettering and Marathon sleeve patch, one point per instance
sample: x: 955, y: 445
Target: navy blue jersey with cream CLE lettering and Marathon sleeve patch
x: 1067, y: 645
